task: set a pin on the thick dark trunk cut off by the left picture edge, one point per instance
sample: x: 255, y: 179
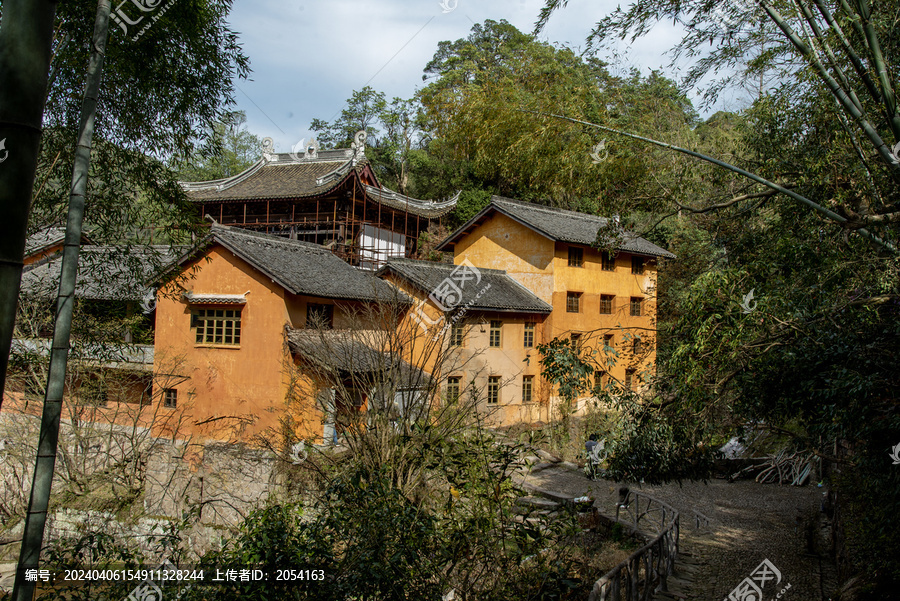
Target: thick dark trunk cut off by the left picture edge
x: 25, y: 46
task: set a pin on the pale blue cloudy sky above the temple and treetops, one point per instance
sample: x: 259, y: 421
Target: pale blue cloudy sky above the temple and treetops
x: 308, y: 57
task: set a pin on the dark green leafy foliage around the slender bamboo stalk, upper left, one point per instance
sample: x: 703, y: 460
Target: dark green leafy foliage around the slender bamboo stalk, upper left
x: 160, y: 96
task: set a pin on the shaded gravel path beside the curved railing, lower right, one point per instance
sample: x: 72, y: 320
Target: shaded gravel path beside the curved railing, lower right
x: 749, y: 523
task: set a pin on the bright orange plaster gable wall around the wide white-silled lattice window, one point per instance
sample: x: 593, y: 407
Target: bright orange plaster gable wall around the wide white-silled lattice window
x: 230, y: 392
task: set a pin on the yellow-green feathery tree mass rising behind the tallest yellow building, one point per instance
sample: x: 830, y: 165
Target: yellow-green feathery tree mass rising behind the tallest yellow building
x: 484, y: 109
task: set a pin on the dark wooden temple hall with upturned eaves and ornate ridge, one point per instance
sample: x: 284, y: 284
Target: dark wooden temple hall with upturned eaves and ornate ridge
x: 327, y: 197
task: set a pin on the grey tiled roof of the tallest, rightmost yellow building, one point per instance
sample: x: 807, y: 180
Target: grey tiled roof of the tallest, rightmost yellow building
x: 558, y: 224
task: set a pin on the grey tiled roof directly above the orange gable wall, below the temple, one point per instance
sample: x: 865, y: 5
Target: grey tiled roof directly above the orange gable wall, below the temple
x: 299, y: 267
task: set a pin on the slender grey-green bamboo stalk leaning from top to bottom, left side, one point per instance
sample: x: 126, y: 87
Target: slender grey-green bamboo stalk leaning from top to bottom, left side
x: 44, y: 466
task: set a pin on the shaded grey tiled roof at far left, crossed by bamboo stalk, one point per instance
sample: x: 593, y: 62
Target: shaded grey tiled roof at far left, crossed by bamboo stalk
x: 104, y: 272
